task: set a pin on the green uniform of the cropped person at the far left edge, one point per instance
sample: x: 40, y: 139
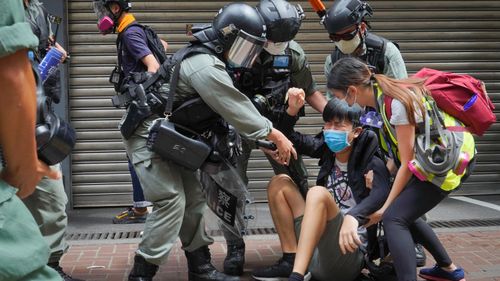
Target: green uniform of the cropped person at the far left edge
x: 20, y: 238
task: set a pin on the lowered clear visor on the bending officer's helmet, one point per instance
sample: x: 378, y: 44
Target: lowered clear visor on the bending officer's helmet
x: 245, y: 49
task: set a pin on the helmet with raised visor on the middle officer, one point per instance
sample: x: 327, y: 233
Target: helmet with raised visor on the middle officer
x: 282, y: 19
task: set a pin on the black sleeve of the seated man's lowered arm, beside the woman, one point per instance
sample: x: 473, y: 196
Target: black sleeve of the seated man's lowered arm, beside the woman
x: 378, y: 194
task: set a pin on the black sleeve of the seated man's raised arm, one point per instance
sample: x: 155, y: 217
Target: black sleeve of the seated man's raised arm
x: 312, y: 146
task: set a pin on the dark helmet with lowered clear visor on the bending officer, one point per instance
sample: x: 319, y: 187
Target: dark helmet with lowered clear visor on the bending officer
x: 241, y: 32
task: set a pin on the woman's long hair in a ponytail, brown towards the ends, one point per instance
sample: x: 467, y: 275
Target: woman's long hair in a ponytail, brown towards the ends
x: 351, y: 71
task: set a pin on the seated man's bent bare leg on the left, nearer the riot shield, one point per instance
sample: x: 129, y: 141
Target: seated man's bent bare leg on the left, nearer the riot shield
x: 285, y: 204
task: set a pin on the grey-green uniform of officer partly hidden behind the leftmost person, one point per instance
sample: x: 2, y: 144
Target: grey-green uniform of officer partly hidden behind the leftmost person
x: 48, y: 203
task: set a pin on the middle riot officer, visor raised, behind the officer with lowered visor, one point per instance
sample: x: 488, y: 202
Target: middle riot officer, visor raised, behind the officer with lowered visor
x: 282, y: 65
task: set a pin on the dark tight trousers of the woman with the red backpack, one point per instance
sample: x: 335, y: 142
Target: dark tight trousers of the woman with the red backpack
x: 403, y: 227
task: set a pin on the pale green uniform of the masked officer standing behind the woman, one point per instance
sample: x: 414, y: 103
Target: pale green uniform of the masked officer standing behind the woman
x: 393, y: 64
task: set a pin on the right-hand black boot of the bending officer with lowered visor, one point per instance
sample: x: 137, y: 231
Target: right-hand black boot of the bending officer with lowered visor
x: 201, y: 269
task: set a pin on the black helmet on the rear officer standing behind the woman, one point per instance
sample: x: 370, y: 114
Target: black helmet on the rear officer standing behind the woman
x: 345, y: 13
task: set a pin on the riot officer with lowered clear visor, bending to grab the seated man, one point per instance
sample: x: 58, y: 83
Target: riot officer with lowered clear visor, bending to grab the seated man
x: 236, y: 36
